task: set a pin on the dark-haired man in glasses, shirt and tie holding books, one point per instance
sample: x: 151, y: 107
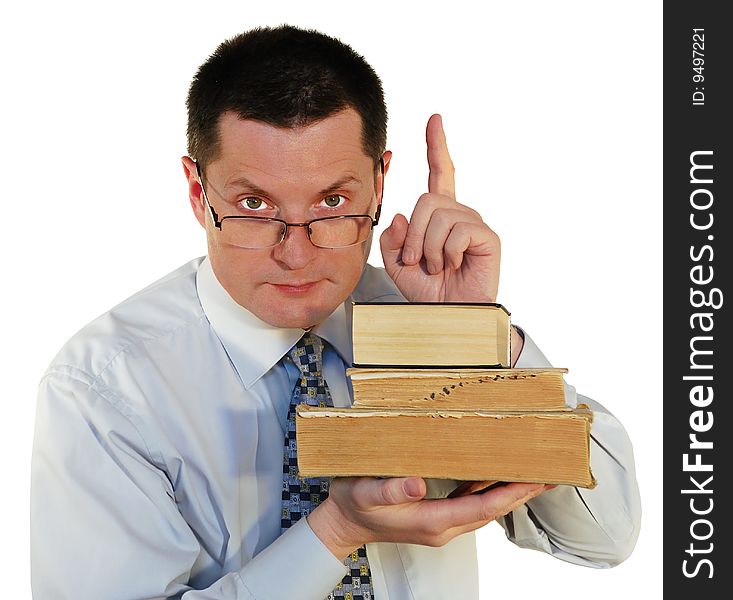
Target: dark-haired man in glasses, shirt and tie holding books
x: 158, y: 455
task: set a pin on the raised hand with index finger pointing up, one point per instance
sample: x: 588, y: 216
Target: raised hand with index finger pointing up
x: 445, y: 253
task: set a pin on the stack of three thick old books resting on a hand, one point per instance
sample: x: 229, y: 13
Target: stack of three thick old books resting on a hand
x: 435, y: 396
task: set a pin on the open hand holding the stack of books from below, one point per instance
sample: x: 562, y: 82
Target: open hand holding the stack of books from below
x: 361, y: 510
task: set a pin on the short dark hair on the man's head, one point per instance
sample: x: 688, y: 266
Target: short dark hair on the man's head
x: 286, y: 77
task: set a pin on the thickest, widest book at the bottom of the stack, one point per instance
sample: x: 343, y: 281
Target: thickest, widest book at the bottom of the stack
x: 467, y: 445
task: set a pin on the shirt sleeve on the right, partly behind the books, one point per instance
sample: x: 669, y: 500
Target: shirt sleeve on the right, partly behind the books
x: 595, y: 527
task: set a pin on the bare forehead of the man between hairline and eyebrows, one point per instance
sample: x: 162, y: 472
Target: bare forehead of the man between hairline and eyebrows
x: 326, y: 147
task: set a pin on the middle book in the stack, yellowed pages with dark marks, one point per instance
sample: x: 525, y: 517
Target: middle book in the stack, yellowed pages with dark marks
x: 489, y: 389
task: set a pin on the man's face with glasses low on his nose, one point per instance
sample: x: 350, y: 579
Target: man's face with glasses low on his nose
x: 295, y: 175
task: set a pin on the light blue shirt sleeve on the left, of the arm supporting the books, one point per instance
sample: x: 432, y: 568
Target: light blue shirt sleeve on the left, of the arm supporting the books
x: 104, y: 520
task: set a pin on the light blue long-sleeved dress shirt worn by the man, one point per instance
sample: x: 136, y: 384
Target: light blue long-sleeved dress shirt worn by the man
x: 157, y: 463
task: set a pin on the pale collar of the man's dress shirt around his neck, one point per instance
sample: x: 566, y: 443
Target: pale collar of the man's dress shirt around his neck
x: 254, y: 346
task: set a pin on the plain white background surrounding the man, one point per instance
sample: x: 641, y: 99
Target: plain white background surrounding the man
x: 553, y: 113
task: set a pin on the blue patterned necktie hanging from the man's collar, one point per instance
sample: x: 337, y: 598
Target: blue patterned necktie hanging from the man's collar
x: 301, y: 495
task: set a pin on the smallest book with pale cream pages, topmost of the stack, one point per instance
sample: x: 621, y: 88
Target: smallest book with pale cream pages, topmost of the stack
x: 431, y: 334
